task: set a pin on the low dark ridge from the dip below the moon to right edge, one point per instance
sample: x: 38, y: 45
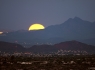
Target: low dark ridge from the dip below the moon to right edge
x: 68, y: 45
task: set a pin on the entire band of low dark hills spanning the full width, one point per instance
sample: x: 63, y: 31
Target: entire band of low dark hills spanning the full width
x: 68, y: 45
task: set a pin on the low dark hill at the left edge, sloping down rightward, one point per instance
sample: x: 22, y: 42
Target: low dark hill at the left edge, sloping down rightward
x: 11, y: 47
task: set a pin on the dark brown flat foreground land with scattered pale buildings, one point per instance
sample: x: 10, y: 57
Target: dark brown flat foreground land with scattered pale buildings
x: 66, y: 62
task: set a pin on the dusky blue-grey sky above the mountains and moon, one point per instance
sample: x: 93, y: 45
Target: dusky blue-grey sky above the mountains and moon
x: 20, y: 14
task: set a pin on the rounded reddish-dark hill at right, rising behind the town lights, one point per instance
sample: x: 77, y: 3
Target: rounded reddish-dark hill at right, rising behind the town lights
x: 75, y: 45
